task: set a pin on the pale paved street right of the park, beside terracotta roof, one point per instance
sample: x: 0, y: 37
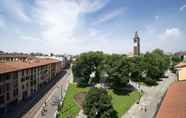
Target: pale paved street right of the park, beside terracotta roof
x: 150, y: 100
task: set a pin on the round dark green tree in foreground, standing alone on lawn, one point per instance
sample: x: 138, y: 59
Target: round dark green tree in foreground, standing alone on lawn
x: 97, y: 104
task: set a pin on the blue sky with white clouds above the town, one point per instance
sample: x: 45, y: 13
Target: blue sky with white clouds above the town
x: 75, y: 26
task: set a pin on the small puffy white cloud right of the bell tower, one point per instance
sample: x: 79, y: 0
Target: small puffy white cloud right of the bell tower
x: 171, y: 34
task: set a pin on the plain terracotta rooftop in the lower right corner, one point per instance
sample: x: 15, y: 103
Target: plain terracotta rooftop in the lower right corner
x: 174, y: 102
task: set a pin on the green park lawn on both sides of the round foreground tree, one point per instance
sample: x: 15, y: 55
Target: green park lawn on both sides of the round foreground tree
x: 121, y: 103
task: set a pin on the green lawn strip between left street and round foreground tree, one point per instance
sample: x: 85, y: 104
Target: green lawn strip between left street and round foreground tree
x: 70, y: 106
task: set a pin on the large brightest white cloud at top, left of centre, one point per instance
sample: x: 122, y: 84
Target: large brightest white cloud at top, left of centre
x: 57, y: 18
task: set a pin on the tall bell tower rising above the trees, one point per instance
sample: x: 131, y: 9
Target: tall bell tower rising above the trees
x: 136, y: 41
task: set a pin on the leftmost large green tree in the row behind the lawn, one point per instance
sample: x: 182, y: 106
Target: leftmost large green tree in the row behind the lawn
x: 85, y: 65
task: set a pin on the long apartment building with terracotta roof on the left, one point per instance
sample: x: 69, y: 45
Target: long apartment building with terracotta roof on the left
x: 21, y: 79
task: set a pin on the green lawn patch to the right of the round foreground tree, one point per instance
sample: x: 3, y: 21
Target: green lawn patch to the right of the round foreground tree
x: 122, y: 103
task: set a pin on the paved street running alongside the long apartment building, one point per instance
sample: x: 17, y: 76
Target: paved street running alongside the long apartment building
x: 50, y: 100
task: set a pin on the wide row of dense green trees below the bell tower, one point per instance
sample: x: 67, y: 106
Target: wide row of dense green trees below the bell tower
x: 116, y: 70
